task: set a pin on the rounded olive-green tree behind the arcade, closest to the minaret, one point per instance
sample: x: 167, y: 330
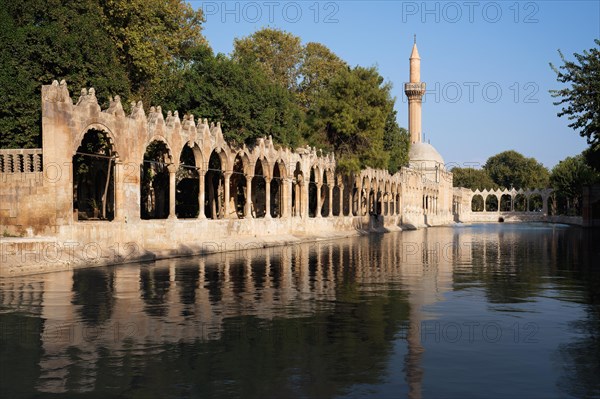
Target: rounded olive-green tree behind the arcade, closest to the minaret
x: 350, y: 118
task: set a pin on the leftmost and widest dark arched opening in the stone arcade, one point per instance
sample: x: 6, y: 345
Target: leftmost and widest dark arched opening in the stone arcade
x: 94, y: 177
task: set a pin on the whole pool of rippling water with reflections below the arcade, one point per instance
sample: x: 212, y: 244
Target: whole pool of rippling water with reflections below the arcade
x: 498, y: 310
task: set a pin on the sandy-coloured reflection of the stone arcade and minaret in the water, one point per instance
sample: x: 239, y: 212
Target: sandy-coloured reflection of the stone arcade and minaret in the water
x: 190, y: 299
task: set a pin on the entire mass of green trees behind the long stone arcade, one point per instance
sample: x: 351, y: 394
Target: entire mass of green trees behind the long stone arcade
x: 154, y: 51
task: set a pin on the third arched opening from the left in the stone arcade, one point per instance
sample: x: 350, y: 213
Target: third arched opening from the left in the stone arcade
x: 187, y: 185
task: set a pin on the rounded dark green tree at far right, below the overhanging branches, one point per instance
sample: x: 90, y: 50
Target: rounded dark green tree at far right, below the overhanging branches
x: 568, y: 178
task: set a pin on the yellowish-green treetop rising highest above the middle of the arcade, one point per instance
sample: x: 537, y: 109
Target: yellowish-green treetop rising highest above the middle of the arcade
x: 279, y: 53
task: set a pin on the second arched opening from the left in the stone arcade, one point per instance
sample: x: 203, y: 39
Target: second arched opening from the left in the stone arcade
x: 155, y: 183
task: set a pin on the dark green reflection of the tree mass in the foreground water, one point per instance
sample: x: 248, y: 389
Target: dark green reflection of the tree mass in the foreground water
x: 321, y: 356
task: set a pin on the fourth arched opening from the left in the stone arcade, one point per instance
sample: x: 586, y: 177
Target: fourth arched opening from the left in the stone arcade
x: 214, y: 187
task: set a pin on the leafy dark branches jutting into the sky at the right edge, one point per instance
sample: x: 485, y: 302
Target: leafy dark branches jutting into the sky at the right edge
x: 580, y: 101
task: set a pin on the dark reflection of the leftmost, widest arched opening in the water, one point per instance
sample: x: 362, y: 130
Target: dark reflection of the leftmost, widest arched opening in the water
x: 94, y: 291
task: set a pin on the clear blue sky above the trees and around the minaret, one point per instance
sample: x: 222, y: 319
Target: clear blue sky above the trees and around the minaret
x: 485, y: 63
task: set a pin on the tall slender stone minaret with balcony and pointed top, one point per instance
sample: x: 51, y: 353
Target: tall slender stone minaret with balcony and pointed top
x: 414, y: 90
